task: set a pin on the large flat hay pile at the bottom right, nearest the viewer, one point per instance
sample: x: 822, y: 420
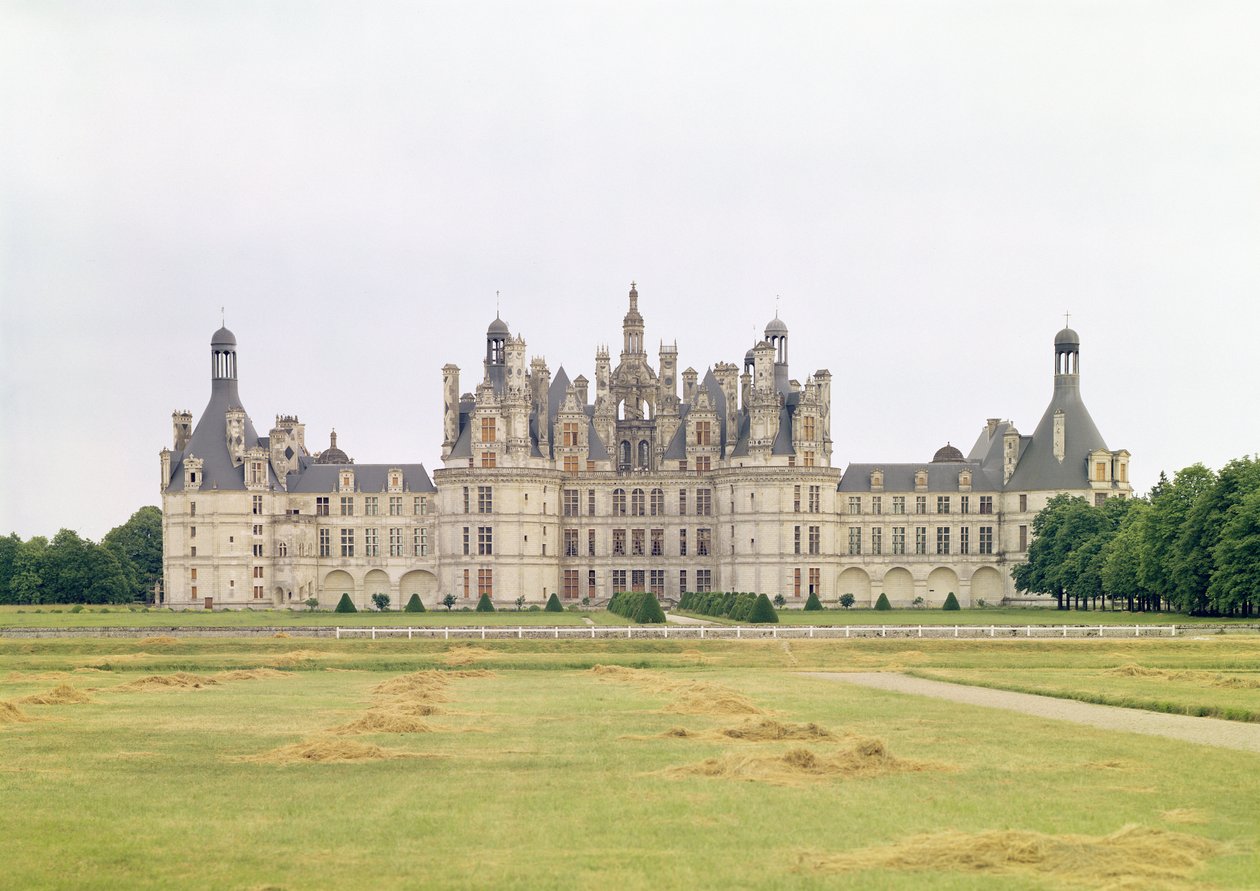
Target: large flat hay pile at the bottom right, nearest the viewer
x: 1133, y: 856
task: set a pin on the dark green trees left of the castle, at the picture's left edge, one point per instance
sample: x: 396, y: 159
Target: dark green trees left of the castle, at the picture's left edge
x: 72, y: 570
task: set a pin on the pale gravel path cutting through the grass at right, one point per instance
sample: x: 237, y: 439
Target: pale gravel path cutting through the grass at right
x: 1204, y: 732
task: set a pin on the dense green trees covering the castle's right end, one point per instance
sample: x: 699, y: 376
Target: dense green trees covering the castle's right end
x: 1193, y: 545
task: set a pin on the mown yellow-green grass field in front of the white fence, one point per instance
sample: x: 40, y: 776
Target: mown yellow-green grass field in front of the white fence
x: 525, y: 768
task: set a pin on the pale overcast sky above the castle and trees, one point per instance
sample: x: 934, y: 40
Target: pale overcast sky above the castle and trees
x: 927, y: 187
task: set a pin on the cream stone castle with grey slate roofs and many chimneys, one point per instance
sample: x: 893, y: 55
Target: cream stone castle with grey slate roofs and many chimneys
x: 728, y: 486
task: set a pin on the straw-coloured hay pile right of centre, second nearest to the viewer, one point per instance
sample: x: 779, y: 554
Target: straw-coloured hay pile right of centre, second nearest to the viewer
x: 796, y: 767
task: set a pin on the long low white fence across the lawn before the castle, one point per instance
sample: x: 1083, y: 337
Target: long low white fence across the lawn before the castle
x: 764, y: 632
